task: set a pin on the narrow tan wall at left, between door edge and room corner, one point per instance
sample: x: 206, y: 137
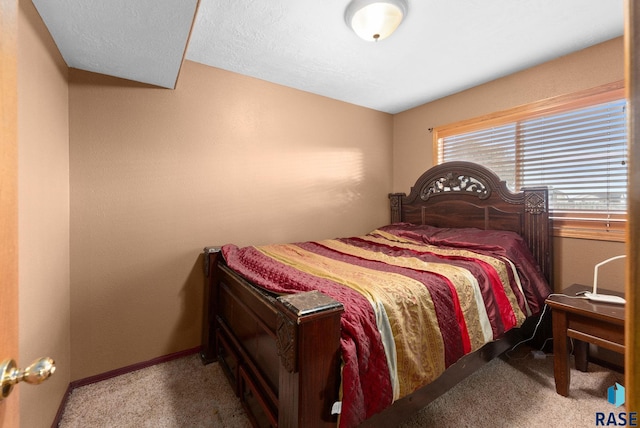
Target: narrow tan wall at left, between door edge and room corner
x: 43, y: 205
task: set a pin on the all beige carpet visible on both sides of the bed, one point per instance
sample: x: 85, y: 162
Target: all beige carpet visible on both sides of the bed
x: 508, y: 392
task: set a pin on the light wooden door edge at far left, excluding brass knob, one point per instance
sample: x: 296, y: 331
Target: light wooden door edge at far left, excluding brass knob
x: 9, y: 410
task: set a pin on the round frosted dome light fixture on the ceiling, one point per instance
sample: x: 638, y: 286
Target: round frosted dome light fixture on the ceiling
x: 375, y: 20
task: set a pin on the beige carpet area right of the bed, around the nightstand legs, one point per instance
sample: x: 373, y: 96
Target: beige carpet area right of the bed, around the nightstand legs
x: 520, y: 392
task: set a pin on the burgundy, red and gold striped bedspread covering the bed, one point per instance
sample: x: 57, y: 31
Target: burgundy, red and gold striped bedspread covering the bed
x: 416, y: 299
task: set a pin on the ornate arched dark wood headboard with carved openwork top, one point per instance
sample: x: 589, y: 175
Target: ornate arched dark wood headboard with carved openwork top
x: 465, y: 194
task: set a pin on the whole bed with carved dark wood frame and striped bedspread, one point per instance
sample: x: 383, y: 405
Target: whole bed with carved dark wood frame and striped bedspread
x: 302, y: 349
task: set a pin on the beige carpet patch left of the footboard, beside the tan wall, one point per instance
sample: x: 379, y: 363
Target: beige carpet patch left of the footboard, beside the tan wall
x: 178, y: 393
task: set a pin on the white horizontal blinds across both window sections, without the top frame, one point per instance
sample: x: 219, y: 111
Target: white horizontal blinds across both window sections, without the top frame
x: 581, y: 155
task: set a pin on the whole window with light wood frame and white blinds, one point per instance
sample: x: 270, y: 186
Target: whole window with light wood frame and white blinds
x: 576, y: 145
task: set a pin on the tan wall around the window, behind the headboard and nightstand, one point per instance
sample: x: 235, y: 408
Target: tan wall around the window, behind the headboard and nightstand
x: 412, y: 149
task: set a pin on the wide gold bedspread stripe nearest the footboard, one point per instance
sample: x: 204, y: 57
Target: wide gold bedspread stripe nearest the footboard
x: 419, y: 347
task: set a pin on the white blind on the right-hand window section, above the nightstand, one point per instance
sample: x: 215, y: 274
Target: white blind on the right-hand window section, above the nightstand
x: 581, y: 156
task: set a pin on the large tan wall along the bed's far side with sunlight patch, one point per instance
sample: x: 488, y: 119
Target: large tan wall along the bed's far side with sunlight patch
x: 156, y: 175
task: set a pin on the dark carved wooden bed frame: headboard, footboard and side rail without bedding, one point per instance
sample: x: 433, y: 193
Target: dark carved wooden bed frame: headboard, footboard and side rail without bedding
x: 282, y: 353
